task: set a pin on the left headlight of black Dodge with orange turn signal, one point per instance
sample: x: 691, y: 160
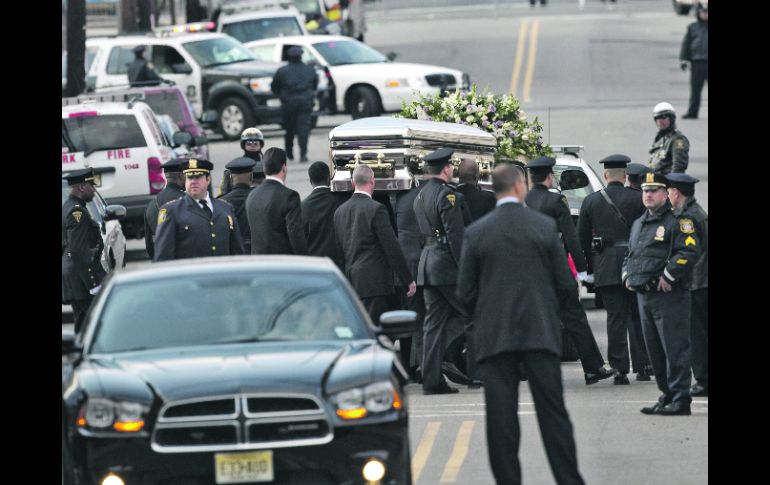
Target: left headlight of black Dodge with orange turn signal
x: 102, y: 414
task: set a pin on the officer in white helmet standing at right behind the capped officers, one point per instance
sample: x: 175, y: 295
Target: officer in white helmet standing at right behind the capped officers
x: 670, y: 150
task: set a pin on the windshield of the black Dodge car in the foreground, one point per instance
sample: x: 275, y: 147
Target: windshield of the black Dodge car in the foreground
x: 243, y: 306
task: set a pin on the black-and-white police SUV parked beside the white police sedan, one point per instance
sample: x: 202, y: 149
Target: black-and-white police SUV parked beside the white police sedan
x: 214, y: 70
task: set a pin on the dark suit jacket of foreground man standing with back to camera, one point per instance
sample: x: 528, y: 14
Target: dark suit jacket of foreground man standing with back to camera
x: 513, y: 274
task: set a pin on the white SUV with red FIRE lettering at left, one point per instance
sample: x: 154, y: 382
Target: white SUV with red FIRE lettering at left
x: 124, y: 144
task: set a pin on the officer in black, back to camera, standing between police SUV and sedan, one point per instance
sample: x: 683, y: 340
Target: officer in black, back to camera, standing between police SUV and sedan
x: 296, y: 85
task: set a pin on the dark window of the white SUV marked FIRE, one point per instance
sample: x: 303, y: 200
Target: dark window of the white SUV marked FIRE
x: 92, y: 133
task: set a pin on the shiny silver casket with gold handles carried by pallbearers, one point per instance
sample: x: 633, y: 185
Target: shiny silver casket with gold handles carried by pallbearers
x: 394, y: 147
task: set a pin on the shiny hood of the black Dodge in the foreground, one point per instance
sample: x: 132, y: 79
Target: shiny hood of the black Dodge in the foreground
x: 240, y: 368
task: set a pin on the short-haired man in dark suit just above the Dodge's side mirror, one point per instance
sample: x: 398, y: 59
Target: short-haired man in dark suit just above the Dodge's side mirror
x: 369, y: 246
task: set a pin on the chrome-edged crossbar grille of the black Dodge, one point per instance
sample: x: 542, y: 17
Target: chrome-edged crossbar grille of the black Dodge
x: 241, y: 422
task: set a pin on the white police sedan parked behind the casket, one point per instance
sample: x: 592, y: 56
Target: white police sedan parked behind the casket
x: 366, y: 83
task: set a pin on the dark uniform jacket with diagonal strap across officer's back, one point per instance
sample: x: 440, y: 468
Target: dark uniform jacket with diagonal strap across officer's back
x: 598, y: 219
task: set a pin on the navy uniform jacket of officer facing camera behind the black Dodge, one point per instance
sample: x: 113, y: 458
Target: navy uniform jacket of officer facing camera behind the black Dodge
x: 186, y: 231
